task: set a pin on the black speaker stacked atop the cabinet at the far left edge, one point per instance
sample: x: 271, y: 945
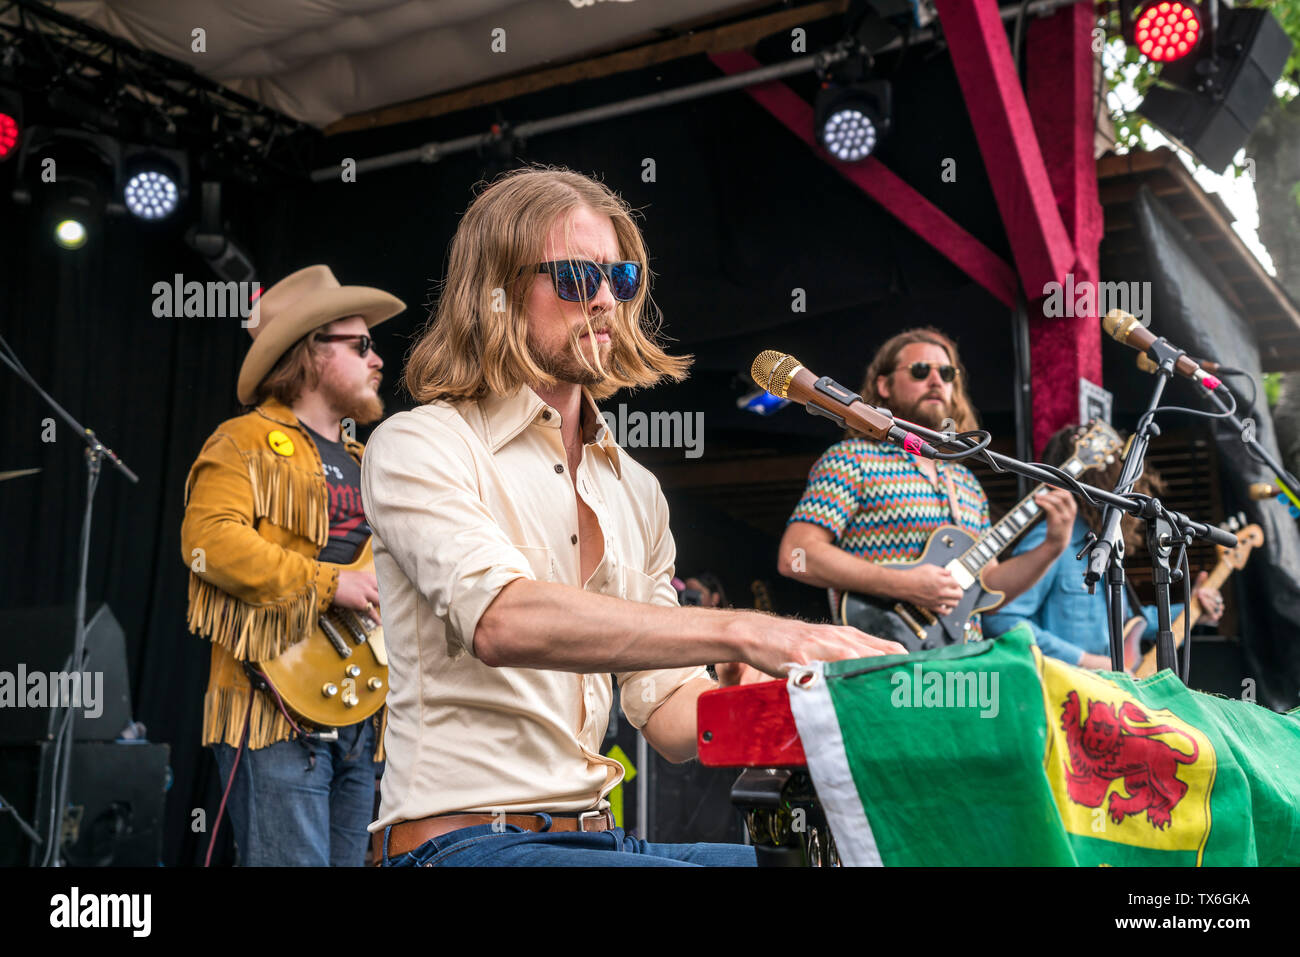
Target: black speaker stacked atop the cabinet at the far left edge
x: 37, y: 643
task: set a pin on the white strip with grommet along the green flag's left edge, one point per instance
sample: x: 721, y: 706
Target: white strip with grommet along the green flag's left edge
x: 829, y: 764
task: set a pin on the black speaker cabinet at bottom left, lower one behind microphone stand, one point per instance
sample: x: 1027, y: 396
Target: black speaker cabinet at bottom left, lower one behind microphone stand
x: 116, y: 796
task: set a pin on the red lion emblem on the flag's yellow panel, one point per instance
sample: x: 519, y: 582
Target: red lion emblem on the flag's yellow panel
x: 1110, y: 747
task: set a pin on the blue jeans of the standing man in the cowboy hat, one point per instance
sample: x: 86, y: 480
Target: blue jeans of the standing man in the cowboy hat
x: 304, y: 806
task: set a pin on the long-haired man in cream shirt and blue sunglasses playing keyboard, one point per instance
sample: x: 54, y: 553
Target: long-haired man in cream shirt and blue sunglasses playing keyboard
x: 523, y: 556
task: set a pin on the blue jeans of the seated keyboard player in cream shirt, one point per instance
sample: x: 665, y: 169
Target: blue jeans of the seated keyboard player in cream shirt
x: 483, y: 846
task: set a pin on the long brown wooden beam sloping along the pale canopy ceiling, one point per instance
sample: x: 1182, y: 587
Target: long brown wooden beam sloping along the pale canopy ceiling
x: 731, y: 37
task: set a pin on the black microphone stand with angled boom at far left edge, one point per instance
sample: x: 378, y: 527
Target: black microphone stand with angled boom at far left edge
x: 96, y: 453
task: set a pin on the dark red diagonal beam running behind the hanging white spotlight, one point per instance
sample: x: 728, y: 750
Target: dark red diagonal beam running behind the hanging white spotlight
x: 874, y: 179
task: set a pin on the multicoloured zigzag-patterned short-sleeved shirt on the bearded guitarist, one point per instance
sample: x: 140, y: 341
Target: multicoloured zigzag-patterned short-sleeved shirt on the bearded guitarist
x: 881, y: 506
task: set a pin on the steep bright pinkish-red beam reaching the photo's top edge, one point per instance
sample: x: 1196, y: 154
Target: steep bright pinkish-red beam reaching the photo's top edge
x: 1013, y: 162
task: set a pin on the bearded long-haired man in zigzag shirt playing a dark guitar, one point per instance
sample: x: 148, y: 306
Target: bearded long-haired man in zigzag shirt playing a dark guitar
x: 870, y: 505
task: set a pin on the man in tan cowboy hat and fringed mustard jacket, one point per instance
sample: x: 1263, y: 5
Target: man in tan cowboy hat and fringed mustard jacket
x: 274, y: 510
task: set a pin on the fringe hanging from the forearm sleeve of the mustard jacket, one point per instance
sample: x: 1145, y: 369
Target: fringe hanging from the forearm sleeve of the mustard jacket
x: 252, y: 633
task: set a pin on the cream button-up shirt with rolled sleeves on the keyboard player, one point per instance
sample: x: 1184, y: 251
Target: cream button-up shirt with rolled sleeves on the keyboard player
x: 463, y: 500
